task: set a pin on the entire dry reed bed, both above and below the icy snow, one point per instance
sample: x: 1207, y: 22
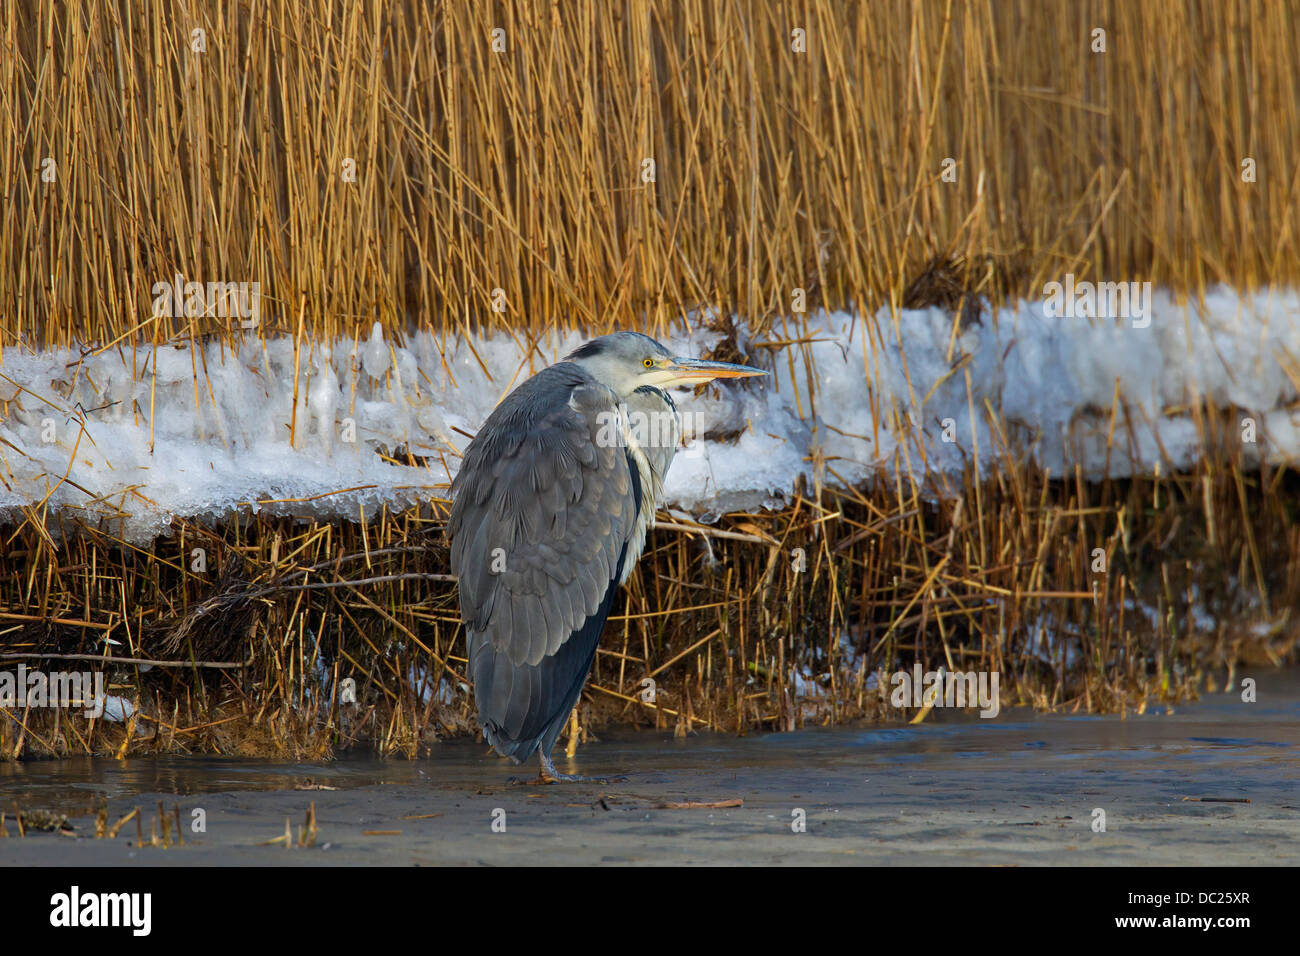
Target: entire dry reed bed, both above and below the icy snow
x: 522, y: 171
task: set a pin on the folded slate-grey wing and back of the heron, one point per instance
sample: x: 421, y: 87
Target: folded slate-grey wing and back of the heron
x: 543, y: 511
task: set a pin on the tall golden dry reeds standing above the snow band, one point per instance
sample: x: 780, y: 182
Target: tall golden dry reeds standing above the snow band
x: 522, y: 171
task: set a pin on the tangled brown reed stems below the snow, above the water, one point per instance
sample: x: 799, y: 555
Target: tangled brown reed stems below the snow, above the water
x: 720, y: 617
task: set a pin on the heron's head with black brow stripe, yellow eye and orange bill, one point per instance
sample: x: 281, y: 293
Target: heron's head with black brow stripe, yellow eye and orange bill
x: 626, y: 361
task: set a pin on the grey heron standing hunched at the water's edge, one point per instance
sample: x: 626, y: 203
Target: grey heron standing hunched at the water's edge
x: 549, y: 516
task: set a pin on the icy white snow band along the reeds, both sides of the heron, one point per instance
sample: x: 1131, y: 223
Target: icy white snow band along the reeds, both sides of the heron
x: 129, y: 438
